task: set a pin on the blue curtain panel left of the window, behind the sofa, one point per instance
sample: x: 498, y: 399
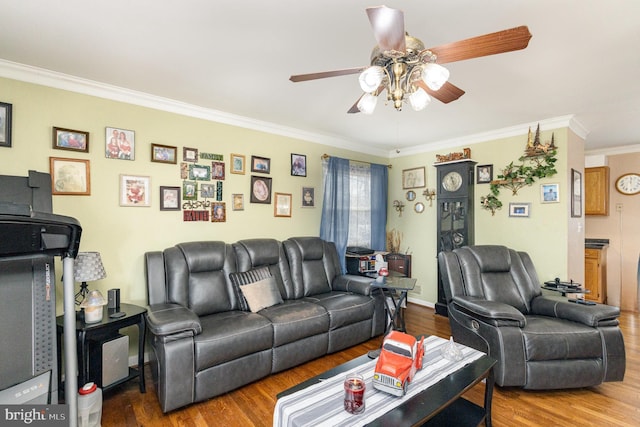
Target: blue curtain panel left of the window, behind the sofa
x: 334, y: 225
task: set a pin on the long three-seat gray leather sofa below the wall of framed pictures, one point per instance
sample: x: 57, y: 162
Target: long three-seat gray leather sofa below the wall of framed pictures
x: 206, y: 340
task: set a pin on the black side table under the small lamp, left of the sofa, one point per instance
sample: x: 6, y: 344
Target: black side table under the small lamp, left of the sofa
x: 107, y: 328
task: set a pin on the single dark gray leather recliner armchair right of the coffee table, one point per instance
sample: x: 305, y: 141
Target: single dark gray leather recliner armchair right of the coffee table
x: 496, y: 305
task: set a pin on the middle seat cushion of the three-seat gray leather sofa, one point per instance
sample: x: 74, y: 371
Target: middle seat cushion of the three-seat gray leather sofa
x: 294, y: 320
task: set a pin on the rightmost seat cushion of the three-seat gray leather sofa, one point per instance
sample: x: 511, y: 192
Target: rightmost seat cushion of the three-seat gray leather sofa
x: 344, y: 308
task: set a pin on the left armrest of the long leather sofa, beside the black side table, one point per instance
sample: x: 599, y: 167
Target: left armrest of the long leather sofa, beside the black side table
x: 168, y: 319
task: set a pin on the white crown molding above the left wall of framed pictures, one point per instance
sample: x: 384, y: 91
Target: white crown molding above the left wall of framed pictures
x: 44, y: 77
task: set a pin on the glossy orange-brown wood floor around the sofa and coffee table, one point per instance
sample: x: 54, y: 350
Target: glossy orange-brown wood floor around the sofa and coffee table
x: 610, y: 404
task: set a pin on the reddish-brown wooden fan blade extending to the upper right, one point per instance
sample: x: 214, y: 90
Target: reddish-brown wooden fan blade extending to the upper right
x: 489, y: 44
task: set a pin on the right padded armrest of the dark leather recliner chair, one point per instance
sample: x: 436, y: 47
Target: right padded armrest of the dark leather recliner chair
x: 590, y: 315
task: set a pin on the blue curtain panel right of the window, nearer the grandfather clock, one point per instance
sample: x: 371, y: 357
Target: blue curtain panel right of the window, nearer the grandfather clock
x: 379, y: 190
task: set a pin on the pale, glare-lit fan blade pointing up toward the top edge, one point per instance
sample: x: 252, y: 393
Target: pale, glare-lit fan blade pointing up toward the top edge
x: 388, y: 27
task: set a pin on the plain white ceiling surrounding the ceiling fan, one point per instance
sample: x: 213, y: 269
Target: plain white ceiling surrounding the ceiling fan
x: 236, y: 57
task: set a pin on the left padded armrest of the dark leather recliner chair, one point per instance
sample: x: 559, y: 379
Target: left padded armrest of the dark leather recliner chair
x: 493, y: 312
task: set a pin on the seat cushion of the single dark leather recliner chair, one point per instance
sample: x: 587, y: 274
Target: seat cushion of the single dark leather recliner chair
x: 547, y: 338
